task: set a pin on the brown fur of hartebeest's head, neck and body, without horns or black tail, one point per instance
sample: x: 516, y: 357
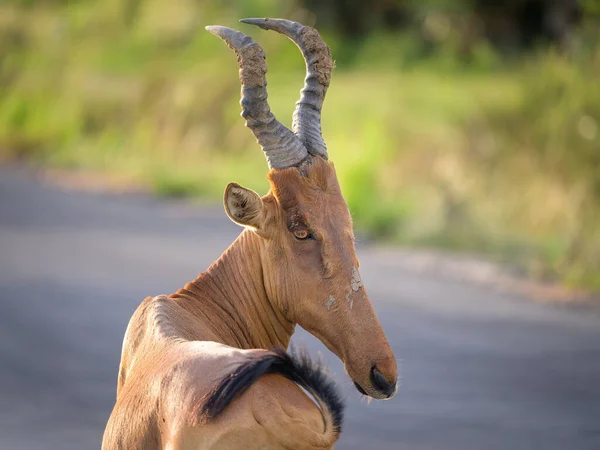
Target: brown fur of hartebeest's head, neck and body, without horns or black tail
x: 177, y: 347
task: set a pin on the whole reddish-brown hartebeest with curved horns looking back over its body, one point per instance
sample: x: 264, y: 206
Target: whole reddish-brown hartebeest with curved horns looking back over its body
x: 188, y: 355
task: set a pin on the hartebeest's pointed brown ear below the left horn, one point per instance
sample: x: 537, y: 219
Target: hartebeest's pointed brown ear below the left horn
x: 244, y: 206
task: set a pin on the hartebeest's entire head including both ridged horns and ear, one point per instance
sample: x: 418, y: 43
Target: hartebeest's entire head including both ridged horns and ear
x: 304, y: 228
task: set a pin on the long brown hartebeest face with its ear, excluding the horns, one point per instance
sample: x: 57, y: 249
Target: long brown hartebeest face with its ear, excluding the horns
x: 311, y: 269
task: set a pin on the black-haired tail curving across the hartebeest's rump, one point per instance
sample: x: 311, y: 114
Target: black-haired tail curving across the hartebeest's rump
x: 295, y: 366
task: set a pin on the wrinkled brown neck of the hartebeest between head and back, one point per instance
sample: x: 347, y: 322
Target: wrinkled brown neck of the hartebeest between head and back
x: 230, y: 300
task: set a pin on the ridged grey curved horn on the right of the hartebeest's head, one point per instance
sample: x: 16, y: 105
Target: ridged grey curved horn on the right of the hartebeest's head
x: 307, y: 116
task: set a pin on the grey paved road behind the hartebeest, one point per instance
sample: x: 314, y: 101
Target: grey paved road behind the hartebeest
x: 481, y: 370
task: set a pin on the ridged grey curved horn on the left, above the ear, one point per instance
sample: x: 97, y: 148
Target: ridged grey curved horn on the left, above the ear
x: 282, y: 147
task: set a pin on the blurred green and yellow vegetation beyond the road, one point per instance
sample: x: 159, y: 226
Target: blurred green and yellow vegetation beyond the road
x: 440, y: 138
